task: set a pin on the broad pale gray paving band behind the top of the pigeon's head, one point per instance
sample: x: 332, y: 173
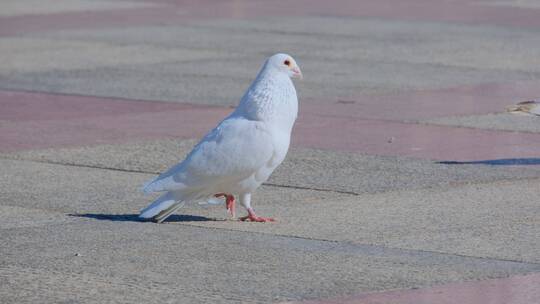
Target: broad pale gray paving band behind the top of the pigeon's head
x: 338, y: 40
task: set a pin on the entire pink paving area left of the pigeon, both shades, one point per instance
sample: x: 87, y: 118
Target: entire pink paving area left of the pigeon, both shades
x: 39, y: 120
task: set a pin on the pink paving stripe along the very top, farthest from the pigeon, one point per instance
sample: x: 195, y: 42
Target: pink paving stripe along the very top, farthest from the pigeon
x: 177, y: 12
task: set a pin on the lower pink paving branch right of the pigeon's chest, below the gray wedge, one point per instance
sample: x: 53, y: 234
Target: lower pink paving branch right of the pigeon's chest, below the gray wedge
x: 413, y: 140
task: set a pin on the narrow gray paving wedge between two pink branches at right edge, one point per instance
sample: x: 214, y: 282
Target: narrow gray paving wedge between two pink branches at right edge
x: 495, y: 121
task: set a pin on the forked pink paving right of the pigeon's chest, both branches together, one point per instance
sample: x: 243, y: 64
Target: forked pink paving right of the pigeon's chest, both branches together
x: 374, y: 124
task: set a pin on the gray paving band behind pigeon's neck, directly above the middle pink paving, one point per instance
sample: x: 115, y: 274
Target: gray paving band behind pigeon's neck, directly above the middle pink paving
x: 188, y: 82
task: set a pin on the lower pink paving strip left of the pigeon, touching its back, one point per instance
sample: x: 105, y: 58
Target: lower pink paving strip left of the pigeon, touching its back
x: 183, y: 124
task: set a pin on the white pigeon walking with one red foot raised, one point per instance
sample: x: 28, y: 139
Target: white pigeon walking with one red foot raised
x: 238, y: 155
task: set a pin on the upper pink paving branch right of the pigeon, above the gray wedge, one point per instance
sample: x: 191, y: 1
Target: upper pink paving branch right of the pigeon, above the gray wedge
x: 417, y: 105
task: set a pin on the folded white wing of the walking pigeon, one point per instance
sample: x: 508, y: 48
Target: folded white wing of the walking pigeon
x: 234, y: 150
